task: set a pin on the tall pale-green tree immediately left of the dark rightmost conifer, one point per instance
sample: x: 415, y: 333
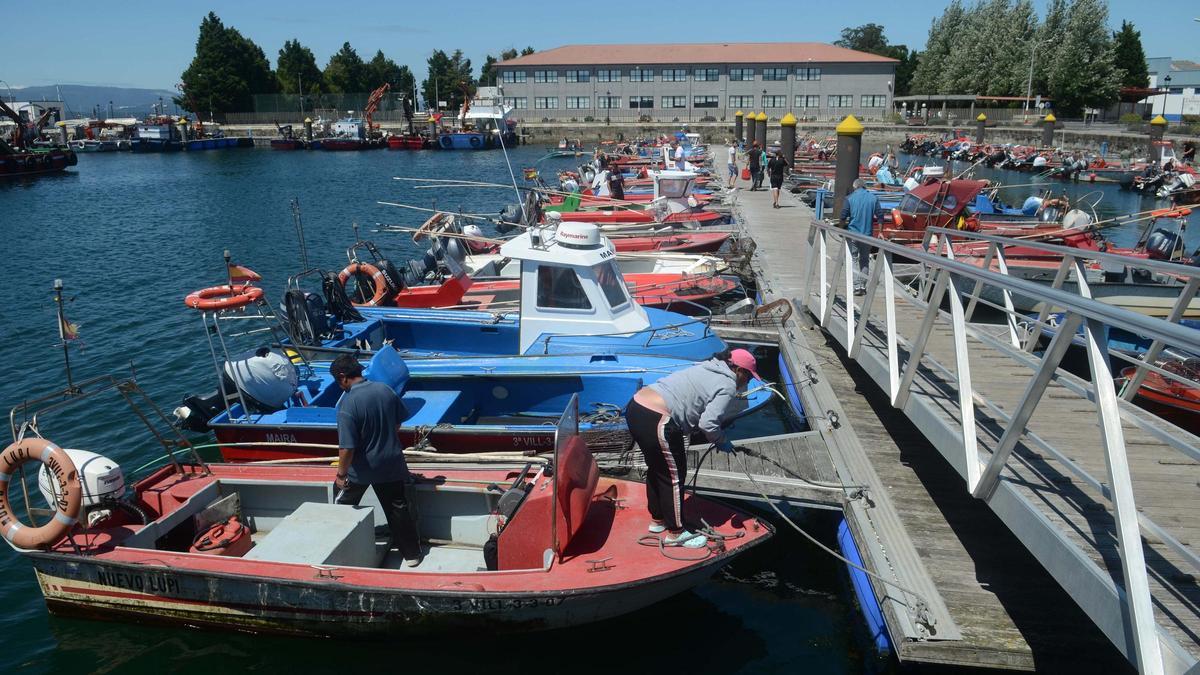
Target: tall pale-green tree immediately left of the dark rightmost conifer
x: 1083, y: 73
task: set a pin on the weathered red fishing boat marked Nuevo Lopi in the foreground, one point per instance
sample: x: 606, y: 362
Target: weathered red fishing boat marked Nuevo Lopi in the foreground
x: 508, y: 546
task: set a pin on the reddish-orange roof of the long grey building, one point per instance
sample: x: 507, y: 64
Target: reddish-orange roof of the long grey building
x: 697, y: 53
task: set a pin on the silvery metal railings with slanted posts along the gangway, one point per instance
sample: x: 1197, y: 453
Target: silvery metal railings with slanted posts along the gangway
x: 831, y: 285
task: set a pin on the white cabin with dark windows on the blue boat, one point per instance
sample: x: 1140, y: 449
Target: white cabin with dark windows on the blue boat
x: 571, y: 284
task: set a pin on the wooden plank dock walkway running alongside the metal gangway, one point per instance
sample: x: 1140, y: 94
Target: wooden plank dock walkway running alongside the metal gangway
x: 1009, y: 613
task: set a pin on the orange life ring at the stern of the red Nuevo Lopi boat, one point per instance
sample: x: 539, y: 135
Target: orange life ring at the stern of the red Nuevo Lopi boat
x: 70, y: 495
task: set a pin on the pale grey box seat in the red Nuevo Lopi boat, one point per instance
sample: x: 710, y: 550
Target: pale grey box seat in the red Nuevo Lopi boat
x: 319, y: 534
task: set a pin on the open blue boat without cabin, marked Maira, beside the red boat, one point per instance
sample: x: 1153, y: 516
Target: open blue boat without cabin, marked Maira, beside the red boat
x: 269, y: 410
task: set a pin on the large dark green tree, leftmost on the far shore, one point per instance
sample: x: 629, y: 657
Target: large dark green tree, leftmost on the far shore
x: 226, y: 73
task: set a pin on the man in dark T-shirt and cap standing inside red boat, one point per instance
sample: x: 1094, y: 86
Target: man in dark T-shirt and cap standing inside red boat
x: 370, y: 455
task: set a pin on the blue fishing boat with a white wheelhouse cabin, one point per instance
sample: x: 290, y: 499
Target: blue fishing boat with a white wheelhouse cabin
x: 574, y: 300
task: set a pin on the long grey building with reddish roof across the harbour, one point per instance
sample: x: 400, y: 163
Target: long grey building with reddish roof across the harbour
x: 697, y: 82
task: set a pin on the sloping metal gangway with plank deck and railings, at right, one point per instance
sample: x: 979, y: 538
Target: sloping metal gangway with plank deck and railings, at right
x: 1102, y: 493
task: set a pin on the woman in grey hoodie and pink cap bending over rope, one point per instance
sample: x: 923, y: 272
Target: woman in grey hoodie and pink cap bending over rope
x: 664, y: 414
